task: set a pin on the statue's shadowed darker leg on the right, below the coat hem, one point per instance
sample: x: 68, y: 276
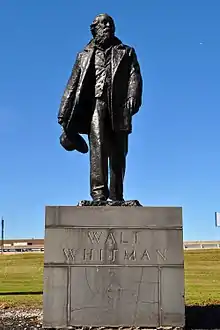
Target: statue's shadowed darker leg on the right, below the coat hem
x: 118, y: 152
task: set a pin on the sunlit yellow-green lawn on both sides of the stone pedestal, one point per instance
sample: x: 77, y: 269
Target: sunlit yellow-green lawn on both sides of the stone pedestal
x: 24, y: 273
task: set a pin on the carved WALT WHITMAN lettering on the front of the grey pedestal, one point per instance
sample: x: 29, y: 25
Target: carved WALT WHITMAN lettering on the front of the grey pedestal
x: 115, y: 247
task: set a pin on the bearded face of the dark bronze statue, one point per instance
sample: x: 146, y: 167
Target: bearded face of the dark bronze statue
x: 104, y: 28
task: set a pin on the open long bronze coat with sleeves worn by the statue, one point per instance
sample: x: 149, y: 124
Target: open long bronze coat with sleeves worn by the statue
x: 77, y: 102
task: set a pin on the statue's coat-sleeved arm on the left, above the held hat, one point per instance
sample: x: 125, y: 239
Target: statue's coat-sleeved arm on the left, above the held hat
x: 69, y: 93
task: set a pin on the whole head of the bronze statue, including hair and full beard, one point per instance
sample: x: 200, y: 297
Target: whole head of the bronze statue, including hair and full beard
x: 103, y: 28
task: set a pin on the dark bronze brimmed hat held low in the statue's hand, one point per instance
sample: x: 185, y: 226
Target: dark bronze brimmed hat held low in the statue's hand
x: 73, y: 142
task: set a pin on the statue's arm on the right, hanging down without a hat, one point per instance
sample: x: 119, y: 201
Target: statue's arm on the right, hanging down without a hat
x: 135, y: 85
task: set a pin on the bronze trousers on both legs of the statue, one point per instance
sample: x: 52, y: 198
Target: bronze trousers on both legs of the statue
x: 107, y: 147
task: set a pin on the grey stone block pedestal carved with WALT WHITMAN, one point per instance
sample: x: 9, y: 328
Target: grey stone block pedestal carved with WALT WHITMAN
x: 113, y: 266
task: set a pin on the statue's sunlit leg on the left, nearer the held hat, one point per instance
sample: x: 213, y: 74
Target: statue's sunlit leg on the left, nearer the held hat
x: 98, y: 153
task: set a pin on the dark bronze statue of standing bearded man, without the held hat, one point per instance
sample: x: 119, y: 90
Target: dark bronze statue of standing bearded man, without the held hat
x: 104, y: 91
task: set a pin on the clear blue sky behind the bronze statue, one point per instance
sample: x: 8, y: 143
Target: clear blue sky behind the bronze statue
x: 174, y: 153
